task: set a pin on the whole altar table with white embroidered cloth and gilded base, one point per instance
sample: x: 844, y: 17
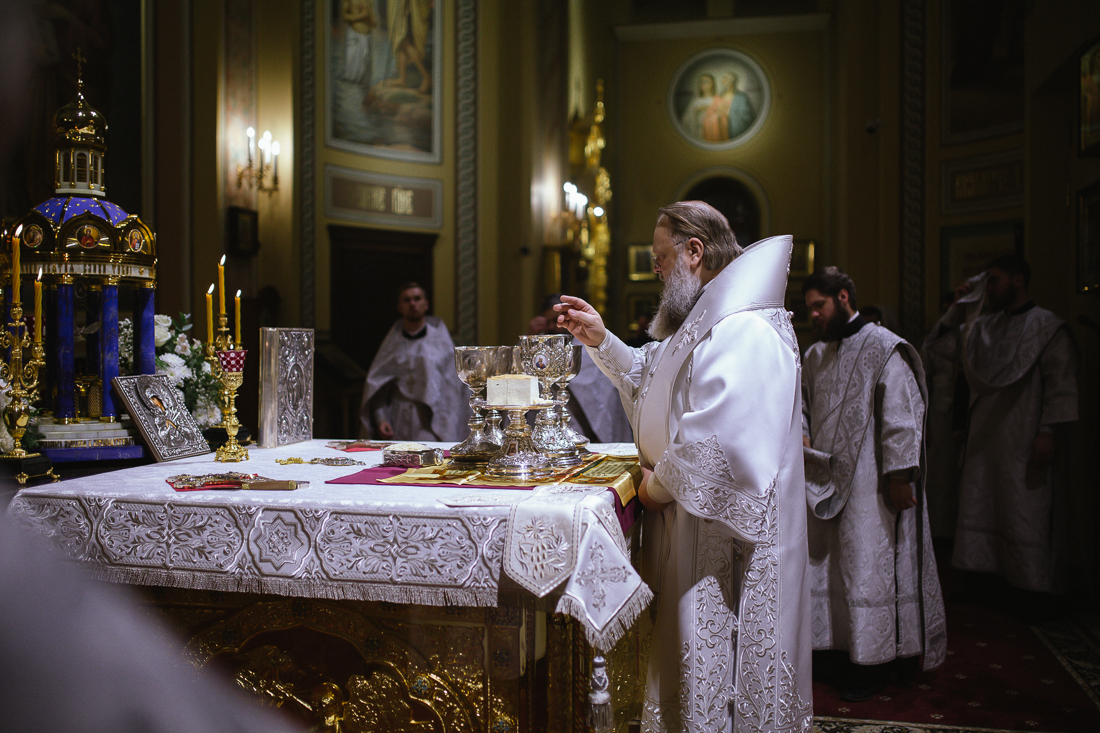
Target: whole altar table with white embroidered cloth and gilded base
x: 411, y: 608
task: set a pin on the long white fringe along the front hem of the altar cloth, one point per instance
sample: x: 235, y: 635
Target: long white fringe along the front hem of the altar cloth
x: 345, y: 592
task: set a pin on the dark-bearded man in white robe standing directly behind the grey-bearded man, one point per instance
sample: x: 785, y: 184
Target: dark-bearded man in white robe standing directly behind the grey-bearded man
x: 876, y: 592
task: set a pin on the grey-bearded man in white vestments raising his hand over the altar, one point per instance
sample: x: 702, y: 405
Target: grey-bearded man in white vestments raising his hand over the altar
x: 717, y: 414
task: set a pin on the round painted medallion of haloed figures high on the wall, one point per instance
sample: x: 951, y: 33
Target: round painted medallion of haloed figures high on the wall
x: 720, y: 99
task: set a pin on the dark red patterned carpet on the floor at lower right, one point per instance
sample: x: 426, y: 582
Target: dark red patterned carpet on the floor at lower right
x: 1000, y: 676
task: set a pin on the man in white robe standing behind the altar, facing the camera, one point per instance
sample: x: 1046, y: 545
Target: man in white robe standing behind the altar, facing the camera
x: 413, y: 391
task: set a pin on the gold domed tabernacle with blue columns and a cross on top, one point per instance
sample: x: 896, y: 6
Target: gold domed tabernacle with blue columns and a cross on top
x: 85, y: 248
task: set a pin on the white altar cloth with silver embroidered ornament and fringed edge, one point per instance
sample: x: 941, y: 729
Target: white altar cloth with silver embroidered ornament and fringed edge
x: 423, y: 545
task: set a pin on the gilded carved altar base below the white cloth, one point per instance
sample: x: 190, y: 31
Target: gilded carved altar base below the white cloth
x: 357, y: 666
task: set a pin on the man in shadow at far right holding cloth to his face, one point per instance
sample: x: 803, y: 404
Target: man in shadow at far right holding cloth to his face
x: 1021, y: 368
